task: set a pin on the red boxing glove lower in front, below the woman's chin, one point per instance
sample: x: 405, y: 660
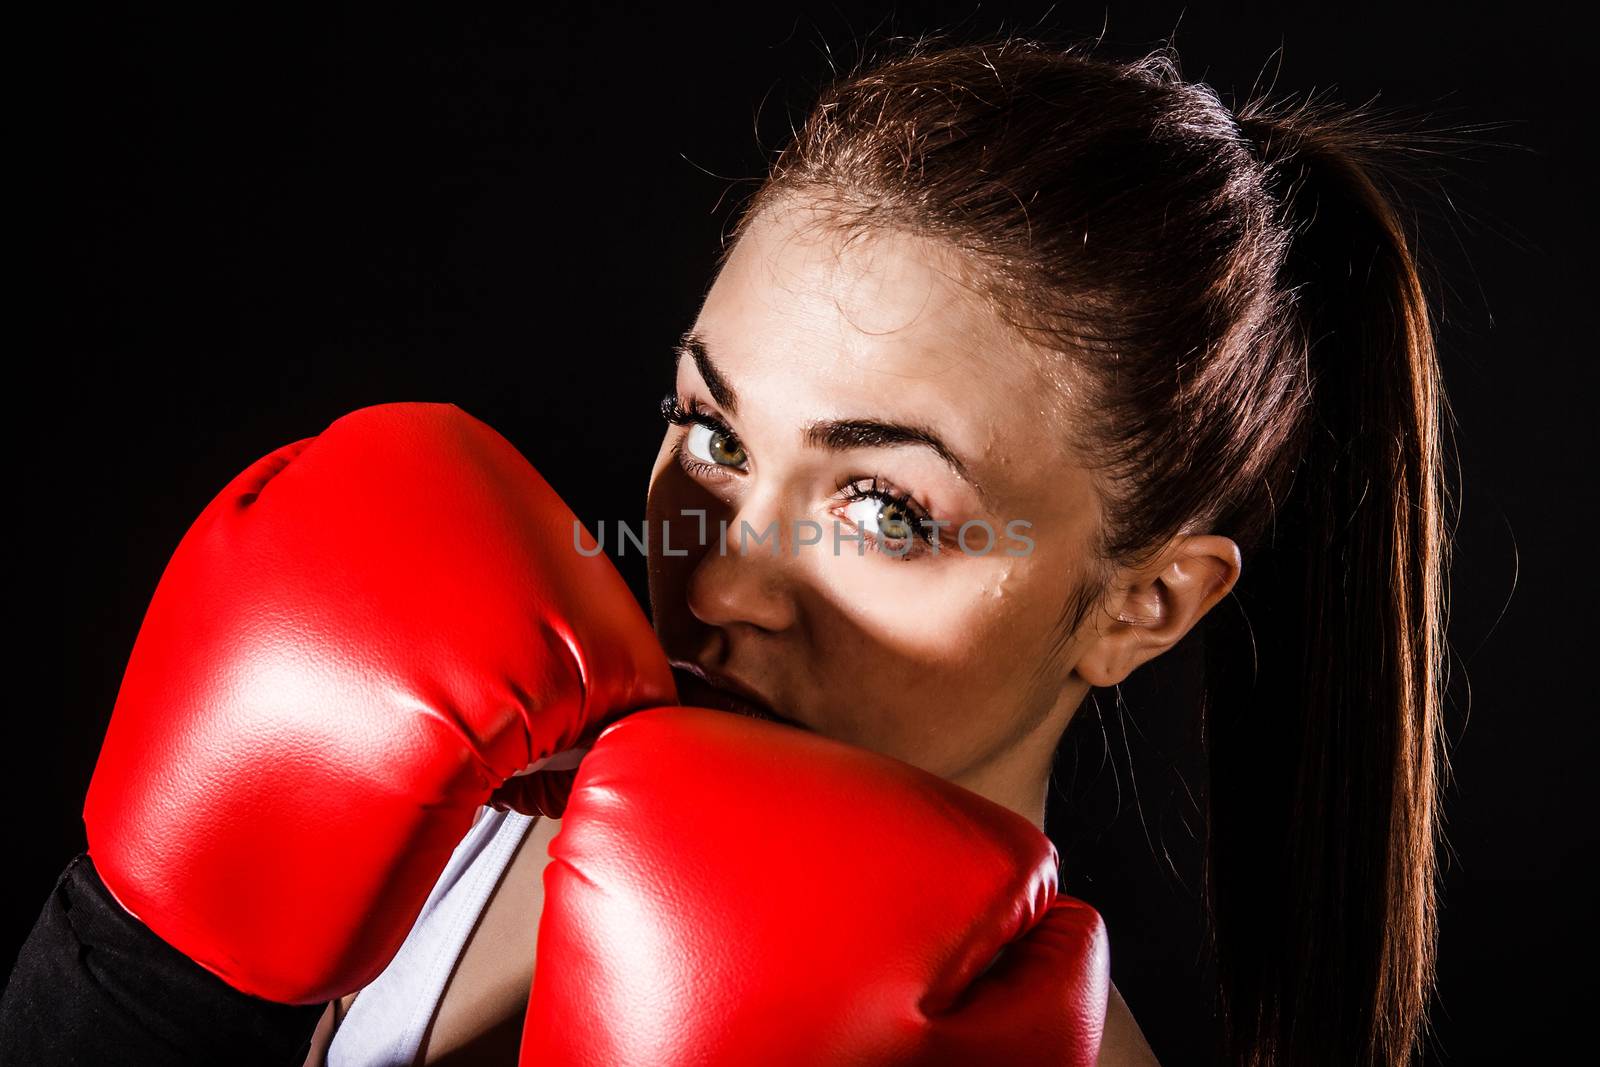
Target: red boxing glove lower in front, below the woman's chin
x: 735, y: 892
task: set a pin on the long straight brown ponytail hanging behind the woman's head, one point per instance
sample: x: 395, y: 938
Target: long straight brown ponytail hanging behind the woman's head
x: 1324, y: 692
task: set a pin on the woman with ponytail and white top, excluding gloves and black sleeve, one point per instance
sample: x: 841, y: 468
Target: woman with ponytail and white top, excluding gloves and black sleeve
x: 1188, y: 348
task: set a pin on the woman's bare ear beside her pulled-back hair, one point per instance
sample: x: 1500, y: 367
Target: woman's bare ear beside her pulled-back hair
x: 1158, y: 605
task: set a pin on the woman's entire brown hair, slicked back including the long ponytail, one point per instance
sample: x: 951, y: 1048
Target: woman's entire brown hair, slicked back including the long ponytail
x: 1242, y: 300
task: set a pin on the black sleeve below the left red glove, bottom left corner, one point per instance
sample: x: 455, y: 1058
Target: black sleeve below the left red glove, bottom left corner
x: 95, y: 986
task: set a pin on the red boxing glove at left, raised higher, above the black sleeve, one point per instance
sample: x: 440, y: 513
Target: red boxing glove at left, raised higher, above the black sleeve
x: 353, y: 649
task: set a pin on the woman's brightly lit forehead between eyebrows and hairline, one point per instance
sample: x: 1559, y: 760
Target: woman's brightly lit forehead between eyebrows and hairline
x: 882, y: 324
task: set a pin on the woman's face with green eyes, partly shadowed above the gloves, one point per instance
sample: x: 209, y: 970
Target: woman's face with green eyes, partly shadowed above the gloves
x: 862, y: 388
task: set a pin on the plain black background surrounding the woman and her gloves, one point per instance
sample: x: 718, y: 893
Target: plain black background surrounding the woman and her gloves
x: 255, y: 223
